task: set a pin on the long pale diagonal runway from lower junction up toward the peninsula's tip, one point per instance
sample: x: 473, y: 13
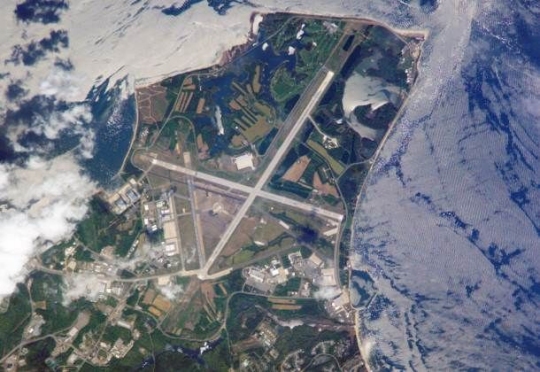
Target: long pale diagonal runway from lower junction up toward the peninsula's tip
x: 298, y: 119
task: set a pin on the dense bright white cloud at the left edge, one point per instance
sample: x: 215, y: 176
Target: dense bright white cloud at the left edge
x: 44, y: 201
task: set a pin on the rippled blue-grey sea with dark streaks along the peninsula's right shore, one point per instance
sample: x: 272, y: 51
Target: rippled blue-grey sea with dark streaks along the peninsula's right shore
x: 448, y: 228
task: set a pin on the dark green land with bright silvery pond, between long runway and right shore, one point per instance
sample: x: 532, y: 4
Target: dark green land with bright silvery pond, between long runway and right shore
x: 333, y: 152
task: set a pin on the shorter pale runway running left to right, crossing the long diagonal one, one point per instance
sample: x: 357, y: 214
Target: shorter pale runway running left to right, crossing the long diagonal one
x: 249, y: 190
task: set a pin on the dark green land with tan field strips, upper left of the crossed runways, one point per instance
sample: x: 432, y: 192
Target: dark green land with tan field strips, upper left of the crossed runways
x: 235, y: 109
